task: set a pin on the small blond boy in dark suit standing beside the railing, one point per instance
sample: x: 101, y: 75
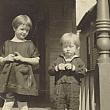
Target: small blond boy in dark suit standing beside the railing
x: 68, y: 68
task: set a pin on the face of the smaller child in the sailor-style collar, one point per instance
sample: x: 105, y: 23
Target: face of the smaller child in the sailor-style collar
x: 69, y: 49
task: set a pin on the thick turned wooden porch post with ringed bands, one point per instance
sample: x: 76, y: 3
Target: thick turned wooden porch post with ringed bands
x: 103, y: 65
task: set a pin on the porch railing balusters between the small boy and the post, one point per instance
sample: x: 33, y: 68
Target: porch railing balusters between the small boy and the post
x: 87, y: 93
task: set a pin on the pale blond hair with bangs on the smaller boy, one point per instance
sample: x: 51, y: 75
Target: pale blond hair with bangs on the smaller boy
x: 70, y: 37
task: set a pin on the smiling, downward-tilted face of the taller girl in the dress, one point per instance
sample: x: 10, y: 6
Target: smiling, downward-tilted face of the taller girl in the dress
x: 22, y: 31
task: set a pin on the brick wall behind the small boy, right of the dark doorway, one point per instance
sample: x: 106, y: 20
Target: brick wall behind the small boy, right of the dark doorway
x: 61, y: 20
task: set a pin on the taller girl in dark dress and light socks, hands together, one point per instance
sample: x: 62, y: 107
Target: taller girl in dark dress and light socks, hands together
x: 18, y: 57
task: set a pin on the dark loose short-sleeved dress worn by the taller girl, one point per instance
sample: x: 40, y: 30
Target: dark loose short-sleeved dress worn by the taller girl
x: 18, y: 77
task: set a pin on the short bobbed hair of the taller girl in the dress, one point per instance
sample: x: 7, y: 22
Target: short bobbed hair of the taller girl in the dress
x: 21, y: 19
